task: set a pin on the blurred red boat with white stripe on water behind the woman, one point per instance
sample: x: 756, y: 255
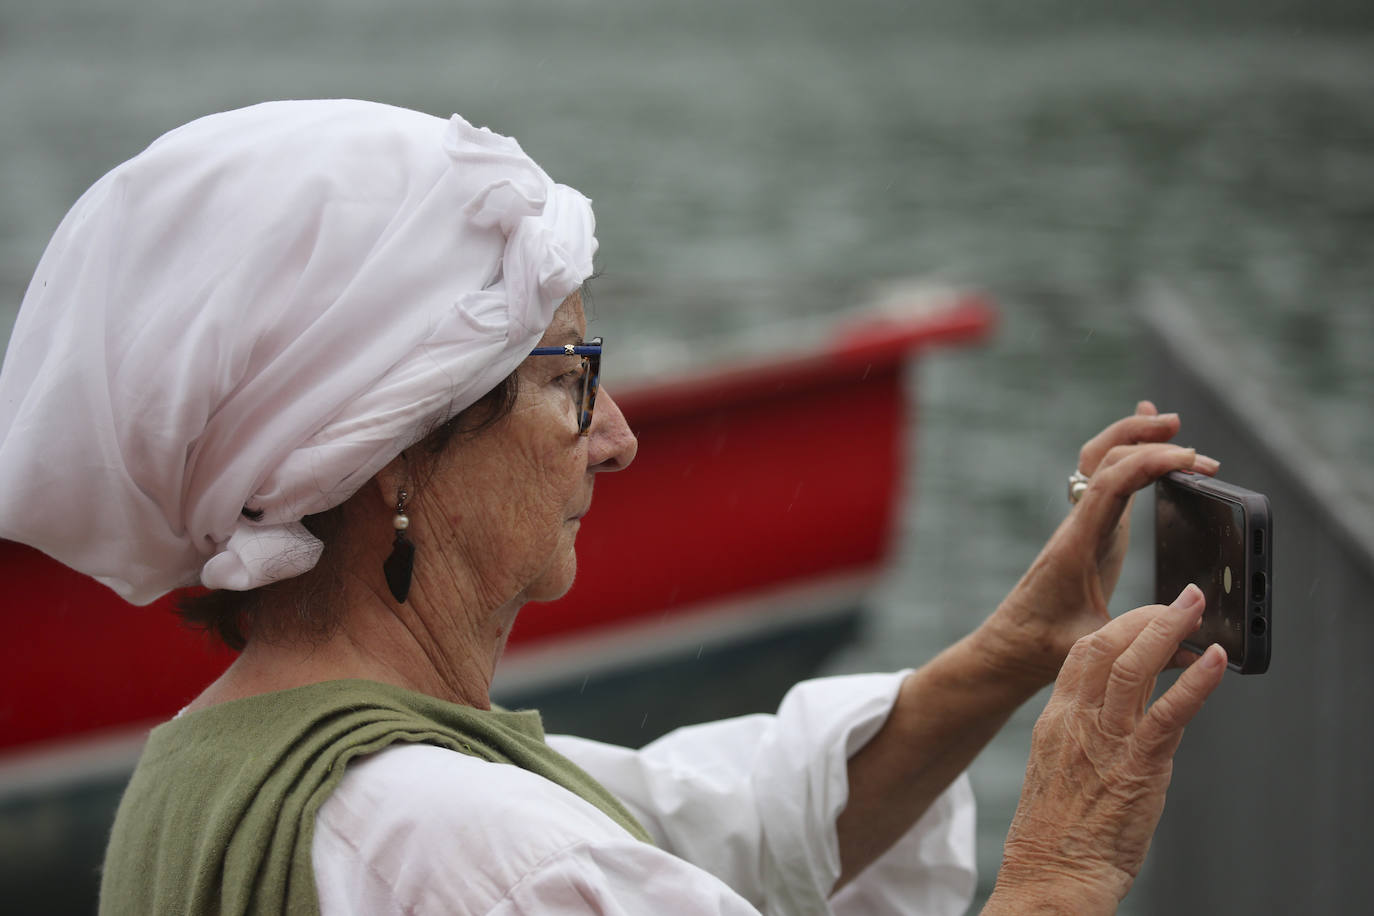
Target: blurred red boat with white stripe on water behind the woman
x: 725, y: 566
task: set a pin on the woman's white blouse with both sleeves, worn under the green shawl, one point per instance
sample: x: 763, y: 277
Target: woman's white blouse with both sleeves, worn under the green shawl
x: 743, y: 814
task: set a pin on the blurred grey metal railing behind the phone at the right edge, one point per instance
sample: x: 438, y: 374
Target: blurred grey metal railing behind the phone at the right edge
x: 1274, y: 785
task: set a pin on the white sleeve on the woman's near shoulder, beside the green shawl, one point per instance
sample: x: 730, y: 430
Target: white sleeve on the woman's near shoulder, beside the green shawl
x: 423, y: 832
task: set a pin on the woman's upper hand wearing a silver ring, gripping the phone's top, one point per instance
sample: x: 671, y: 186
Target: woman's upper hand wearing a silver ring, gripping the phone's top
x: 1066, y: 593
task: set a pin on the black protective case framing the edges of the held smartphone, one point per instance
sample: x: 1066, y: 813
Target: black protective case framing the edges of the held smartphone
x: 1259, y: 576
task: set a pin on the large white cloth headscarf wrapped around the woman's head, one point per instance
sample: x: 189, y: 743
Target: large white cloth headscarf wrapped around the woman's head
x: 262, y: 311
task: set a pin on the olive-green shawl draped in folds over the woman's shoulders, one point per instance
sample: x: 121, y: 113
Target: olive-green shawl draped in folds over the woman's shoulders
x: 221, y: 814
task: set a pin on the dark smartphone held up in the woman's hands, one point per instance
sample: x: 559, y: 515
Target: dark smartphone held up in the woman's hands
x: 1219, y: 538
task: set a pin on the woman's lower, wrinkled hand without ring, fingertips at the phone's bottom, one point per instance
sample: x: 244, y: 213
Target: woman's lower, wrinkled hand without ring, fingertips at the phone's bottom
x: 1101, y: 759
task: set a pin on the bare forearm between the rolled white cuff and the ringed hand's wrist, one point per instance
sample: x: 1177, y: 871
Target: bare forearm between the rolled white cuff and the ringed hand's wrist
x: 945, y: 716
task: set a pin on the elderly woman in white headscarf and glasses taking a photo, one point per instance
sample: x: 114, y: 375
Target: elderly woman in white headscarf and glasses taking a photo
x: 330, y: 360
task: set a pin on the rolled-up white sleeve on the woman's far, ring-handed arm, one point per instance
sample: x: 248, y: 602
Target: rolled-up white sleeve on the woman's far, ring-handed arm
x: 755, y: 801
